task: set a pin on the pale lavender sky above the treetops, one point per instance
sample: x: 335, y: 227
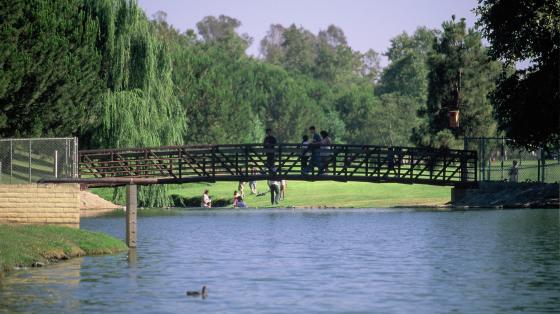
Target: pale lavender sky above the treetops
x: 366, y: 23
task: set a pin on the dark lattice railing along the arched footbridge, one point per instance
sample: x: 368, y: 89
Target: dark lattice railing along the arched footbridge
x: 175, y: 164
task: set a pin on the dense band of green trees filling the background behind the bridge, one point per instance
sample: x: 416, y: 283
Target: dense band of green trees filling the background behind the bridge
x: 103, y: 71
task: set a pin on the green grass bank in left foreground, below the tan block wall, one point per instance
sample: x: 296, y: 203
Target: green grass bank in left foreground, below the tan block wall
x: 24, y: 246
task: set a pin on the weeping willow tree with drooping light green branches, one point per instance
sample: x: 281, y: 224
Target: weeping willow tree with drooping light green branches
x: 139, y: 107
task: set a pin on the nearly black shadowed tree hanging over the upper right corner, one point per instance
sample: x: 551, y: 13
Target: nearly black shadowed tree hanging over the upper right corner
x: 527, y: 102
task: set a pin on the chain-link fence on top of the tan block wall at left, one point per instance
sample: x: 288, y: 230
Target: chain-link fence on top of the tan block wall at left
x: 29, y: 160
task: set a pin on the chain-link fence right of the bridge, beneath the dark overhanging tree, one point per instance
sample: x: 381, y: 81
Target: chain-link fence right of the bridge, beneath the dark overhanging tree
x: 497, y: 155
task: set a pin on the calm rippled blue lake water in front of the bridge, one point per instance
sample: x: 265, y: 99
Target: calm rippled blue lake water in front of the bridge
x: 309, y: 261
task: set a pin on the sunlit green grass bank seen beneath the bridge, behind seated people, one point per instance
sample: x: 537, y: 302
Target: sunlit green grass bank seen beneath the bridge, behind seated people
x: 304, y: 194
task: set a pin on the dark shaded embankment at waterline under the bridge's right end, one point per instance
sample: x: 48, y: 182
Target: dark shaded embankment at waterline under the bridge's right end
x: 508, y: 195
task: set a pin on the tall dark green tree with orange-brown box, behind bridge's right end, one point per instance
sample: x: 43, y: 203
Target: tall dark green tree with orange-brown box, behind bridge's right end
x: 461, y: 73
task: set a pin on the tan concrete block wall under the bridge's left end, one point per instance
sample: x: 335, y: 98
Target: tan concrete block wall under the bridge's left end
x: 53, y: 204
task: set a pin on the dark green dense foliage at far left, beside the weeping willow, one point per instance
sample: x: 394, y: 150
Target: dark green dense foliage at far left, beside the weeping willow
x: 49, y: 65
